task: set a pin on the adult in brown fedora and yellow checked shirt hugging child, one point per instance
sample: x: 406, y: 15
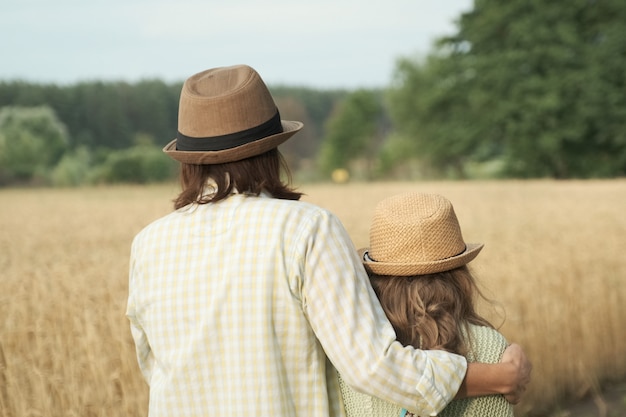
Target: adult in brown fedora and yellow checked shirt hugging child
x: 245, y: 301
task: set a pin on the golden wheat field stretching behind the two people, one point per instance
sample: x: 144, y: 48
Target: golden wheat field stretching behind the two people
x: 554, y: 260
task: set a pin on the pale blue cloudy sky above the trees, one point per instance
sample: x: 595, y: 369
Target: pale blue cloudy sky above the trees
x: 313, y: 43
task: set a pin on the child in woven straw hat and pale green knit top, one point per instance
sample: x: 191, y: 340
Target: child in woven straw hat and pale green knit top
x: 417, y: 266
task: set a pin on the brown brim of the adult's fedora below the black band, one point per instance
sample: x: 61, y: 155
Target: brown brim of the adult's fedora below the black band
x: 238, y: 153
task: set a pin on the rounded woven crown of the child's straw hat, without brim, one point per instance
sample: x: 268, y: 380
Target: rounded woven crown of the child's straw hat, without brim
x: 415, y: 228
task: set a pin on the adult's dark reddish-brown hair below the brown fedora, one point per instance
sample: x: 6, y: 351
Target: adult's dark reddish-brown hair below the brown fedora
x: 251, y: 176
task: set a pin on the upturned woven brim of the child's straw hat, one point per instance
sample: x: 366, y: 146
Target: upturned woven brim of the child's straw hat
x: 422, y: 268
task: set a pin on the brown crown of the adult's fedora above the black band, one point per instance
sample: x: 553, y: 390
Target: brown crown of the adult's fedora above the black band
x: 223, y: 101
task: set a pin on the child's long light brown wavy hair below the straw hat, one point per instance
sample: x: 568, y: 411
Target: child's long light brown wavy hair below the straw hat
x: 431, y: 311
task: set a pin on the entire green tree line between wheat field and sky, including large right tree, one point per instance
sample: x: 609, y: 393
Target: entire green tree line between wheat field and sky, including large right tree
x: 523, y: 89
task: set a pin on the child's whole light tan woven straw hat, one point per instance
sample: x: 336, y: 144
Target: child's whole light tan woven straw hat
x: 416, y: 234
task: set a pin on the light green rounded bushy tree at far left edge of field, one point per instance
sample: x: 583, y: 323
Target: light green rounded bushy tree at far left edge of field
x: 32, y: 141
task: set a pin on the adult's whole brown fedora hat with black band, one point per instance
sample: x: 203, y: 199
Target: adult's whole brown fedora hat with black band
x: 227, y: 114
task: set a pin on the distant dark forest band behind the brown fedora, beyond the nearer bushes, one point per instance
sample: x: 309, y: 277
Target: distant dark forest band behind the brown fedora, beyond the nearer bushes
x: 113, y: 115
